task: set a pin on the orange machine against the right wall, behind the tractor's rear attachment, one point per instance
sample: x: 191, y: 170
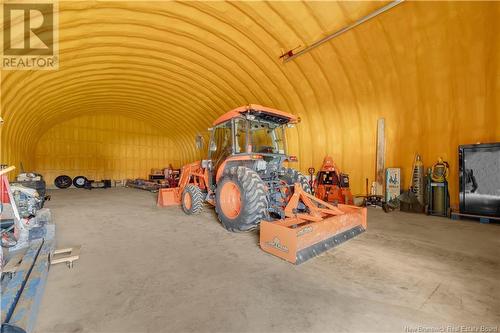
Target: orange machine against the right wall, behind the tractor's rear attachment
x: 331, y: 185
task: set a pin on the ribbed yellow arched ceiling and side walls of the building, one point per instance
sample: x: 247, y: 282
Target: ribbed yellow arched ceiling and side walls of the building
x: 429, y: 68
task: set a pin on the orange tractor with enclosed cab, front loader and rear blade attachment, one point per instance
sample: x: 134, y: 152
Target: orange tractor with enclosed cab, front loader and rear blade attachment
x: 244, y: 177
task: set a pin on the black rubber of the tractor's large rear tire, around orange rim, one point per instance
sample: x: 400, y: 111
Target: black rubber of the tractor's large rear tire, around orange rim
x: 253, y: 199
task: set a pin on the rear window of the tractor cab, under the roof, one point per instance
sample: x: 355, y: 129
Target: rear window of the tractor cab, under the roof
x: 267, y: 137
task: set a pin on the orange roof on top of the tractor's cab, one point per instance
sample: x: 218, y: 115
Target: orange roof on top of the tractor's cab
x: 260, y: 112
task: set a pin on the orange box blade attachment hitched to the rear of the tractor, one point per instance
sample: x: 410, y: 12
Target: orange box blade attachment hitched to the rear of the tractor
x: 311, y: 227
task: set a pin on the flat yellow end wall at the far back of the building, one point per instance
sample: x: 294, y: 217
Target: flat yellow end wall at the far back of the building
x: 103, y: 147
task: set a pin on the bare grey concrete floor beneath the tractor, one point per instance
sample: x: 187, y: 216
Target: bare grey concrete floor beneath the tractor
x: 147, y: 269
